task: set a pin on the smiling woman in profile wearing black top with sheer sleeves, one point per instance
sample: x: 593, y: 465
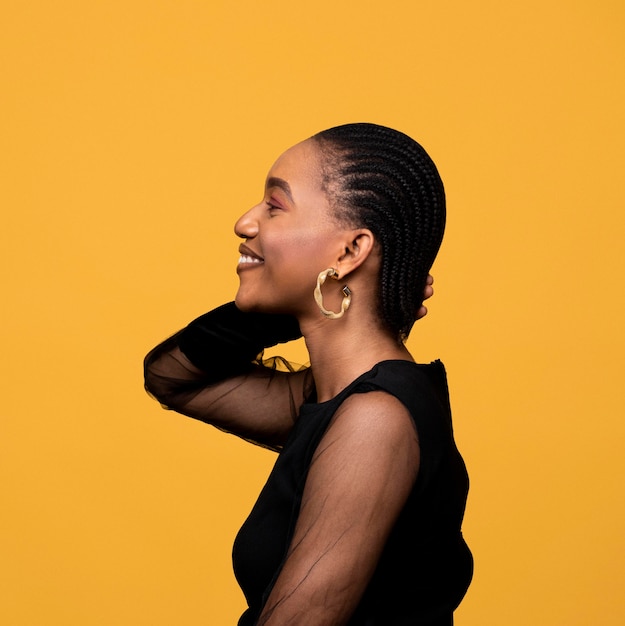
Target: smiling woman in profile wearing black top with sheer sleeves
x: 359, y: 522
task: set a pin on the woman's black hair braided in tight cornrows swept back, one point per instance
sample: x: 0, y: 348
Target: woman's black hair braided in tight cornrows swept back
x: 381, y: 179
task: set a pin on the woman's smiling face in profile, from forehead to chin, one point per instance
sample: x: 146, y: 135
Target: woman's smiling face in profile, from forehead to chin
x: 290, y: 236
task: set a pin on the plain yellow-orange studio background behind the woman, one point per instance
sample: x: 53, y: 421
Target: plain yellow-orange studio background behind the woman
x: 132, y: 135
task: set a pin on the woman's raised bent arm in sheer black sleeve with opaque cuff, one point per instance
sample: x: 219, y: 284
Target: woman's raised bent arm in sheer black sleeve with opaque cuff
x: 209, y: 371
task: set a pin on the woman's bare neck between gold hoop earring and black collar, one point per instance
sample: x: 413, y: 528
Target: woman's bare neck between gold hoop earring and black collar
x: 341, y: 350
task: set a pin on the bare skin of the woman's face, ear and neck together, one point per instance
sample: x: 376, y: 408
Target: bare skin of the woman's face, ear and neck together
x: 297, y: 236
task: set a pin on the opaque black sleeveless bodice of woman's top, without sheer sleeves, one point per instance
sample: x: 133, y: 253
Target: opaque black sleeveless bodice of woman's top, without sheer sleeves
x: 426, y: 567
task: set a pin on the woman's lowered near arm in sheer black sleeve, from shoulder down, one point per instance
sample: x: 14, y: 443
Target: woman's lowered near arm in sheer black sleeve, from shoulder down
x: 360, y: 477
